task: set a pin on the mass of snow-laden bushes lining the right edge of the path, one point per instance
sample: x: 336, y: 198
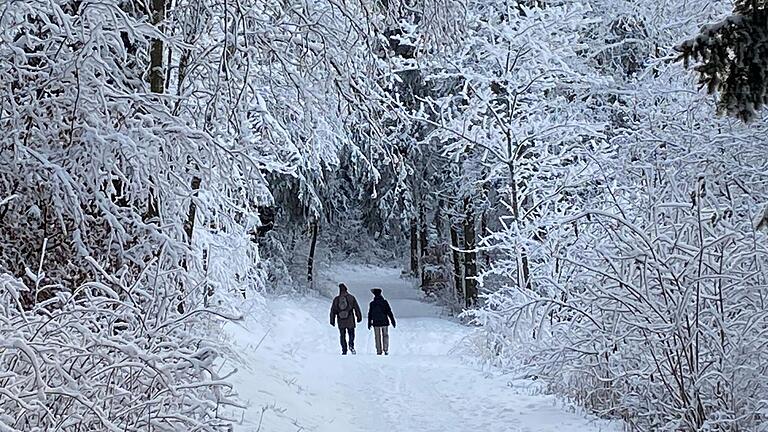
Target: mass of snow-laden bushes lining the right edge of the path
x: 652, y: 309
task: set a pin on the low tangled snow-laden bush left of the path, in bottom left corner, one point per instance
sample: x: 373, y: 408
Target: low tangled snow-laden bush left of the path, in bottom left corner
x: 108, y: 360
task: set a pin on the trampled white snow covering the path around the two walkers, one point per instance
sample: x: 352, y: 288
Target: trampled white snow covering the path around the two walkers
x: 295, y: 379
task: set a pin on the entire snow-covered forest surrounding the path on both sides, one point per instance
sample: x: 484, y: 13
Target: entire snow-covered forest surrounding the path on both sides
x: 550, y: 167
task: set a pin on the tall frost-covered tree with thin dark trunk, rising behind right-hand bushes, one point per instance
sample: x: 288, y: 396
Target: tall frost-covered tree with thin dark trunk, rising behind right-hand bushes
x: 518, y: 122
